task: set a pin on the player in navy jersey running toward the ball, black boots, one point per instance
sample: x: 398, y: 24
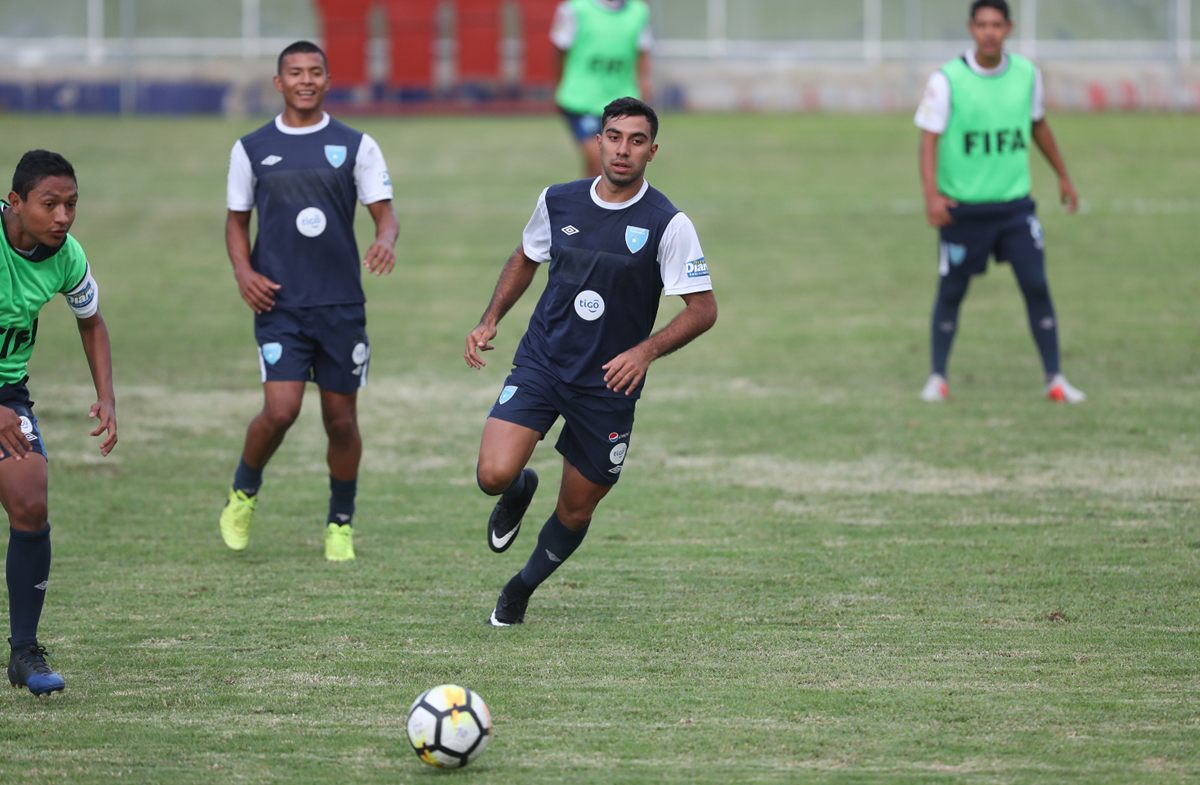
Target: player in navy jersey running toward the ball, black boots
x: 614, y: 245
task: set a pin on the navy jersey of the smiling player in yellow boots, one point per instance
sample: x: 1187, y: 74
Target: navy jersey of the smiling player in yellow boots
x: 305, y: 191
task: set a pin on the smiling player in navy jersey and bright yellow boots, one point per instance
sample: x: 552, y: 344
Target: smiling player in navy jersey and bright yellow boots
x: 304, y: 171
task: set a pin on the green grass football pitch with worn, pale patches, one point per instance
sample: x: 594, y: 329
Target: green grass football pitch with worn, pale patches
x: 806, y: 574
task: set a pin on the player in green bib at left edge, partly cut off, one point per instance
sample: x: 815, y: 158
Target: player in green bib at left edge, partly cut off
x: 40, y: 261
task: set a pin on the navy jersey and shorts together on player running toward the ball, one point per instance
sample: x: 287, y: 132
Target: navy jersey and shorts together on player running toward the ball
x: 602, y: 298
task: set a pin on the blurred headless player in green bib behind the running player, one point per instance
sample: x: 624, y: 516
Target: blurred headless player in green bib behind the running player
x: 603, y: 53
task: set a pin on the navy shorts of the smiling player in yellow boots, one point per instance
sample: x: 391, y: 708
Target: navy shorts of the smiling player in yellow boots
x: 327, y: 345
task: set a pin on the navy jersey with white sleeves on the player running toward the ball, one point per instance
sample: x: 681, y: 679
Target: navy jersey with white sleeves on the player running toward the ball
x: 605, y: 281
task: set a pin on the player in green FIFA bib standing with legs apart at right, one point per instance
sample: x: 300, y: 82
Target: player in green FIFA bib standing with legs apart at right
x: 979, y: 117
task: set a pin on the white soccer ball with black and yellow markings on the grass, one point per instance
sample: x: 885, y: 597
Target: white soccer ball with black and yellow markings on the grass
x: 449, y: 727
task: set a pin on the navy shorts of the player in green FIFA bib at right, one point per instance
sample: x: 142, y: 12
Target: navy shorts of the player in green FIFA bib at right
x: 1009, y: 231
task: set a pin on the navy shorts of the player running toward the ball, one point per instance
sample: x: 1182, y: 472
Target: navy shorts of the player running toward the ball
x: 596, y: 438
